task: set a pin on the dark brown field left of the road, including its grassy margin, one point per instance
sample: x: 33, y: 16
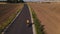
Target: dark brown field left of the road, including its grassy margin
x: 7, y: 13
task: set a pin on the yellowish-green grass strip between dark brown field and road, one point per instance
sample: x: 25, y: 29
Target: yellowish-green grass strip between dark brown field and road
x: 8, y: 21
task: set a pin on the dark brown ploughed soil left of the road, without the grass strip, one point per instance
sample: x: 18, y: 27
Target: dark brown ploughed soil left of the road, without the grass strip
x: 6, y: 10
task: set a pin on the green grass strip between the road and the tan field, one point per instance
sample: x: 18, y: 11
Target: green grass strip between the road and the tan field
x: 39, y: 28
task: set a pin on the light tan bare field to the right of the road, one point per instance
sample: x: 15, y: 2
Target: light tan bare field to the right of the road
x: 49, y: 15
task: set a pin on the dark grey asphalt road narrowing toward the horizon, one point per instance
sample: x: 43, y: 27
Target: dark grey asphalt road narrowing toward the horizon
x: 19, y: 26
